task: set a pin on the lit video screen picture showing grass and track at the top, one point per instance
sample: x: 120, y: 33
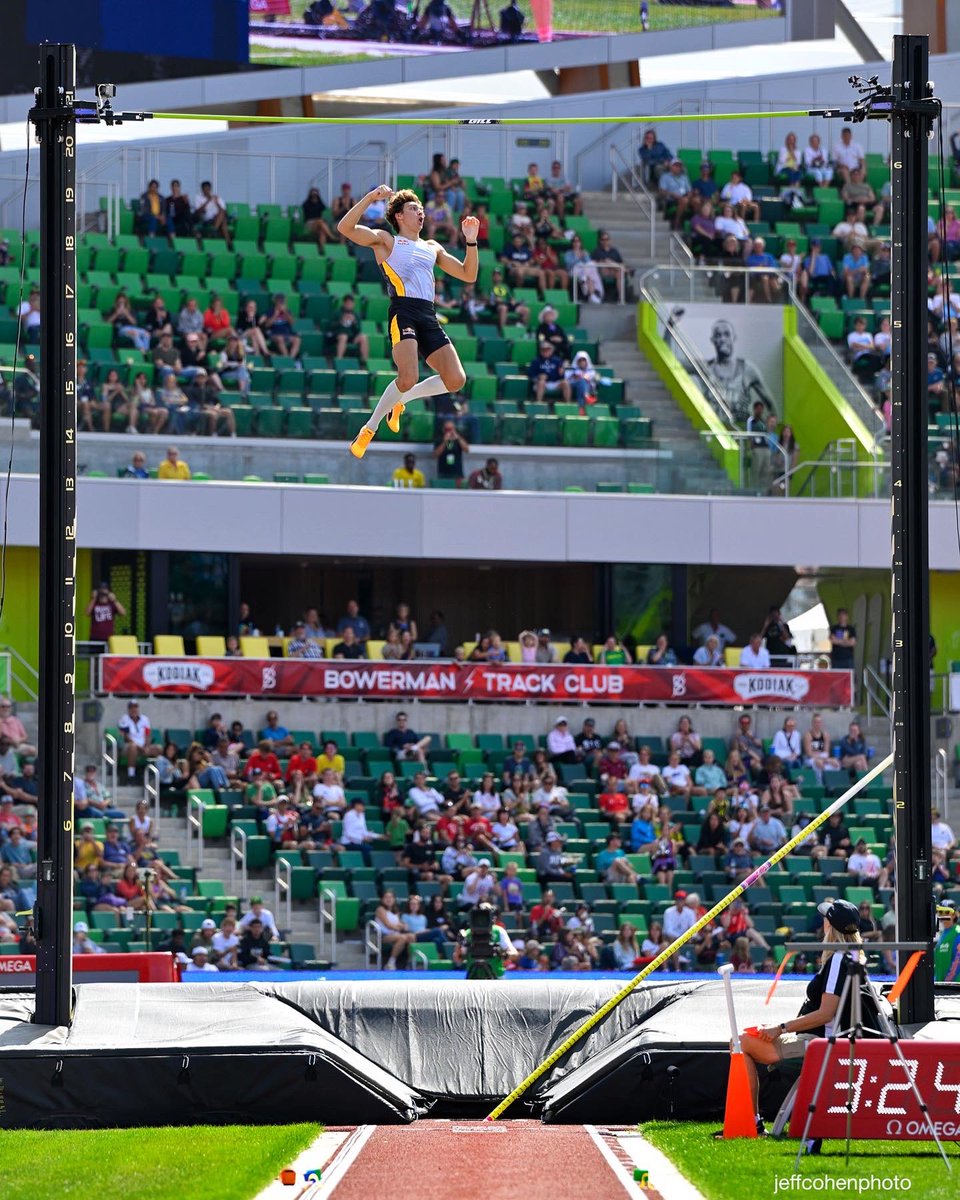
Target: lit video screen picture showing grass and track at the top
x: 314, y: 33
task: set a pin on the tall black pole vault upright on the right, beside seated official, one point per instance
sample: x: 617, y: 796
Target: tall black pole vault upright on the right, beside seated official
x: 911, y: 122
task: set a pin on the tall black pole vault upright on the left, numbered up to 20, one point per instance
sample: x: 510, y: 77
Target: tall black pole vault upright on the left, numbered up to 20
x: 55, y: 122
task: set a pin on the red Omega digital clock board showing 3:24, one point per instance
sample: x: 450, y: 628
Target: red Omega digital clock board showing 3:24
x: 883, y: 1101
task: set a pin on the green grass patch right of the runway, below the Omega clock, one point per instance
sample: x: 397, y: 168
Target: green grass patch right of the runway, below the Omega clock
x: 764, y: 1168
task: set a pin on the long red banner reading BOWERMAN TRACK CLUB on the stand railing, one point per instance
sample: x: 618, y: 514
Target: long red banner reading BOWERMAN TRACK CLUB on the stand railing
x: 425, y: 680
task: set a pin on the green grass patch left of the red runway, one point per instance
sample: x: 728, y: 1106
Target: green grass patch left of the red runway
x: 213, y: 1162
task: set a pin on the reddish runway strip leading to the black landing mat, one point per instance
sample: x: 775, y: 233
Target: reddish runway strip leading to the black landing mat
x: 466, y: 1160
